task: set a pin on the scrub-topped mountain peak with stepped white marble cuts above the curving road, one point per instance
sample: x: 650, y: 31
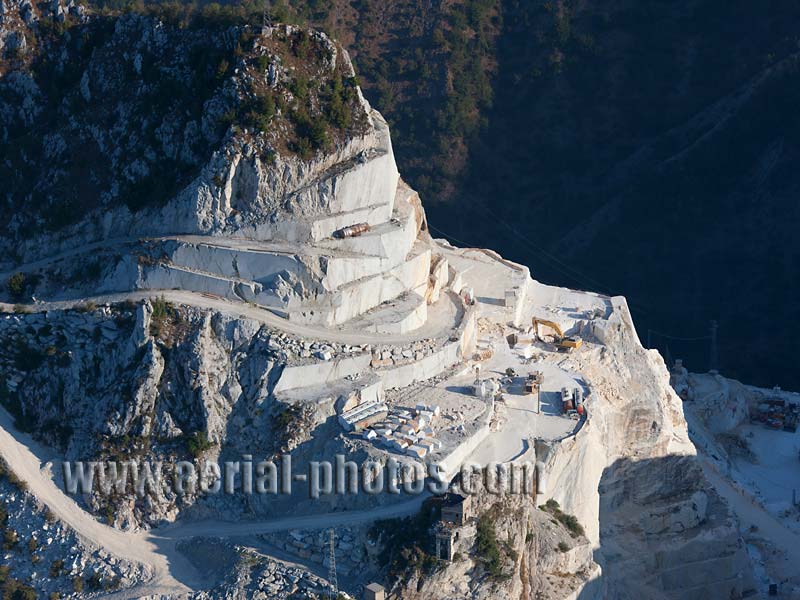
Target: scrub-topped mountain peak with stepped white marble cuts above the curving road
x: 240, y: 132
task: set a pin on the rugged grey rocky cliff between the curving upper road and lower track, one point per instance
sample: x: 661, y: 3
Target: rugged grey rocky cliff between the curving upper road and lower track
x: 158, y: 382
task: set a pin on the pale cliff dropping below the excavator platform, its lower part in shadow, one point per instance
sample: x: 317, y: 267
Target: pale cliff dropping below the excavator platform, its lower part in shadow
x: 653, y: 526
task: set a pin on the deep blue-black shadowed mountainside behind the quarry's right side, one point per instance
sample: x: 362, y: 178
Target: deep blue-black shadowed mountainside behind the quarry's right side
x: 649, y: 150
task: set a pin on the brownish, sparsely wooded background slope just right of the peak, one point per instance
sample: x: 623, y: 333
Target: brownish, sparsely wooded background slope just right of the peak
x: 428, y: 67
